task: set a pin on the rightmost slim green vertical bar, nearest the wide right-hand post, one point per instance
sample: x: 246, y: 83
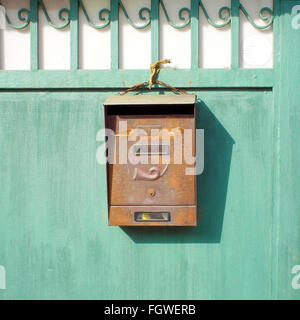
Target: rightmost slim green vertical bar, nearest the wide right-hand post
x: 235, y: 34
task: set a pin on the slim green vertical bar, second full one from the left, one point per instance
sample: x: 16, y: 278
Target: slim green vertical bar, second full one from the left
x: 74, y: 34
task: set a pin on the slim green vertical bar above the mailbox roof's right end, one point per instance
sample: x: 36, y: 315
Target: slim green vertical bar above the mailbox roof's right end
x: 195, y: 34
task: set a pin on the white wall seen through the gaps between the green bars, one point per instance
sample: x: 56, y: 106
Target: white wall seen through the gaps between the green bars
x: 135, y: 45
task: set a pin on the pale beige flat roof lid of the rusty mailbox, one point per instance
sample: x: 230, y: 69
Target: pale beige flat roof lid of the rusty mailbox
x: 151, y: 99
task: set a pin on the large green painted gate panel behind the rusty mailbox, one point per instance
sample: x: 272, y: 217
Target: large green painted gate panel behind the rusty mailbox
x: 55, y: 242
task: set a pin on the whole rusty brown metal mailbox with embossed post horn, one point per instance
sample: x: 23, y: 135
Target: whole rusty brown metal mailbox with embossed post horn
x: 148, y: 180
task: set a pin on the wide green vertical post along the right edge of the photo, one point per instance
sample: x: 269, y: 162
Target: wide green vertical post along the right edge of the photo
x: 289, y: 107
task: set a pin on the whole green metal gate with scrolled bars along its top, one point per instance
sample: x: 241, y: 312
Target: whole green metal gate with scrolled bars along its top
x: 54, y: 237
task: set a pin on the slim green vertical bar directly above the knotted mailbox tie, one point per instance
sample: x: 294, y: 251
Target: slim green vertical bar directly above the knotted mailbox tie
x: 155, y: 37
